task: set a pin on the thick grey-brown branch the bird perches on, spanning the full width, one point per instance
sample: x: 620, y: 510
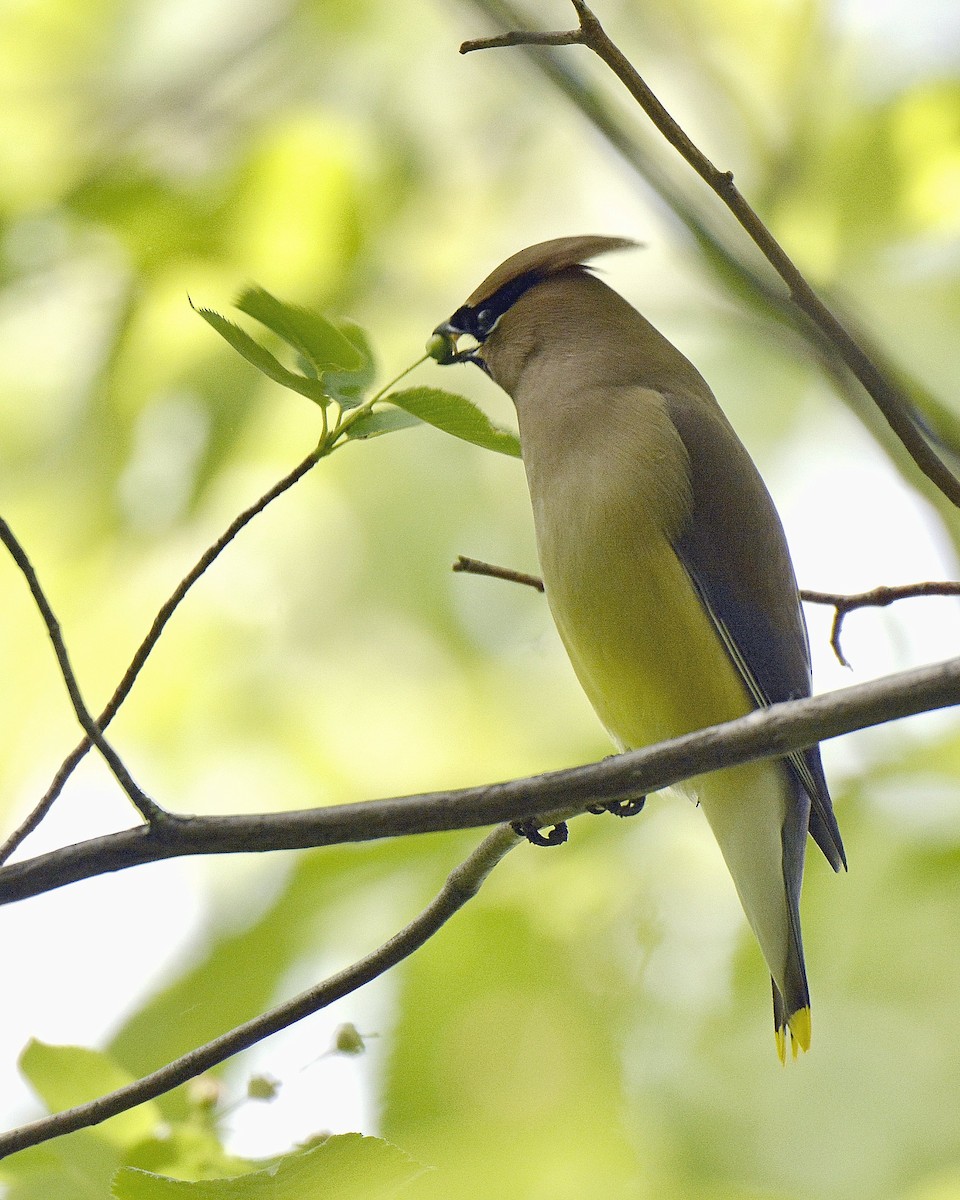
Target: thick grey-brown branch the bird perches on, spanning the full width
x: 766, y: 734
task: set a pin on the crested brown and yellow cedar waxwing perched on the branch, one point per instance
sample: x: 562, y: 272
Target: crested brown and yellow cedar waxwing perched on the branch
x: 664, y: 562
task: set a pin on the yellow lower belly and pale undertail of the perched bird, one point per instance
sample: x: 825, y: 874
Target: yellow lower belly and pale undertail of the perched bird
x: 647, y: 655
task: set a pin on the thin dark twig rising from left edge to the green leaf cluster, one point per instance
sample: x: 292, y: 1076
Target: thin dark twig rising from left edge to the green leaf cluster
x: 130, y: 677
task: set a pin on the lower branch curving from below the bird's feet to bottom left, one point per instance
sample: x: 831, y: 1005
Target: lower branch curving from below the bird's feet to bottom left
x: 460, y: 887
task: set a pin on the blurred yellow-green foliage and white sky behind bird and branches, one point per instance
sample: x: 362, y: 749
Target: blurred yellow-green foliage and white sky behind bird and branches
x: 597, y: 1022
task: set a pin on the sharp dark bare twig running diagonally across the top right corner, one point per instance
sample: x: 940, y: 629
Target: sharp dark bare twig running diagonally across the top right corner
x: 890, y: 399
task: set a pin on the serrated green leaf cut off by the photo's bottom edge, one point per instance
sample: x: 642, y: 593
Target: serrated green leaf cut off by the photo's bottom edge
x: 346, y: 1167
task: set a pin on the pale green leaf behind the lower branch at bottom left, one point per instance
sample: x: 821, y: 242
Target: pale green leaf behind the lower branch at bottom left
x: 64, y: 1077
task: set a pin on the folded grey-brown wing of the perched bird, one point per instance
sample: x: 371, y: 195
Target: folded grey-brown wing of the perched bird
x: 736, y: 555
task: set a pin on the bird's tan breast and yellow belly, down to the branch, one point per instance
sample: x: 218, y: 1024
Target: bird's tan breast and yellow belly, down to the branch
x: 608, y: 502
